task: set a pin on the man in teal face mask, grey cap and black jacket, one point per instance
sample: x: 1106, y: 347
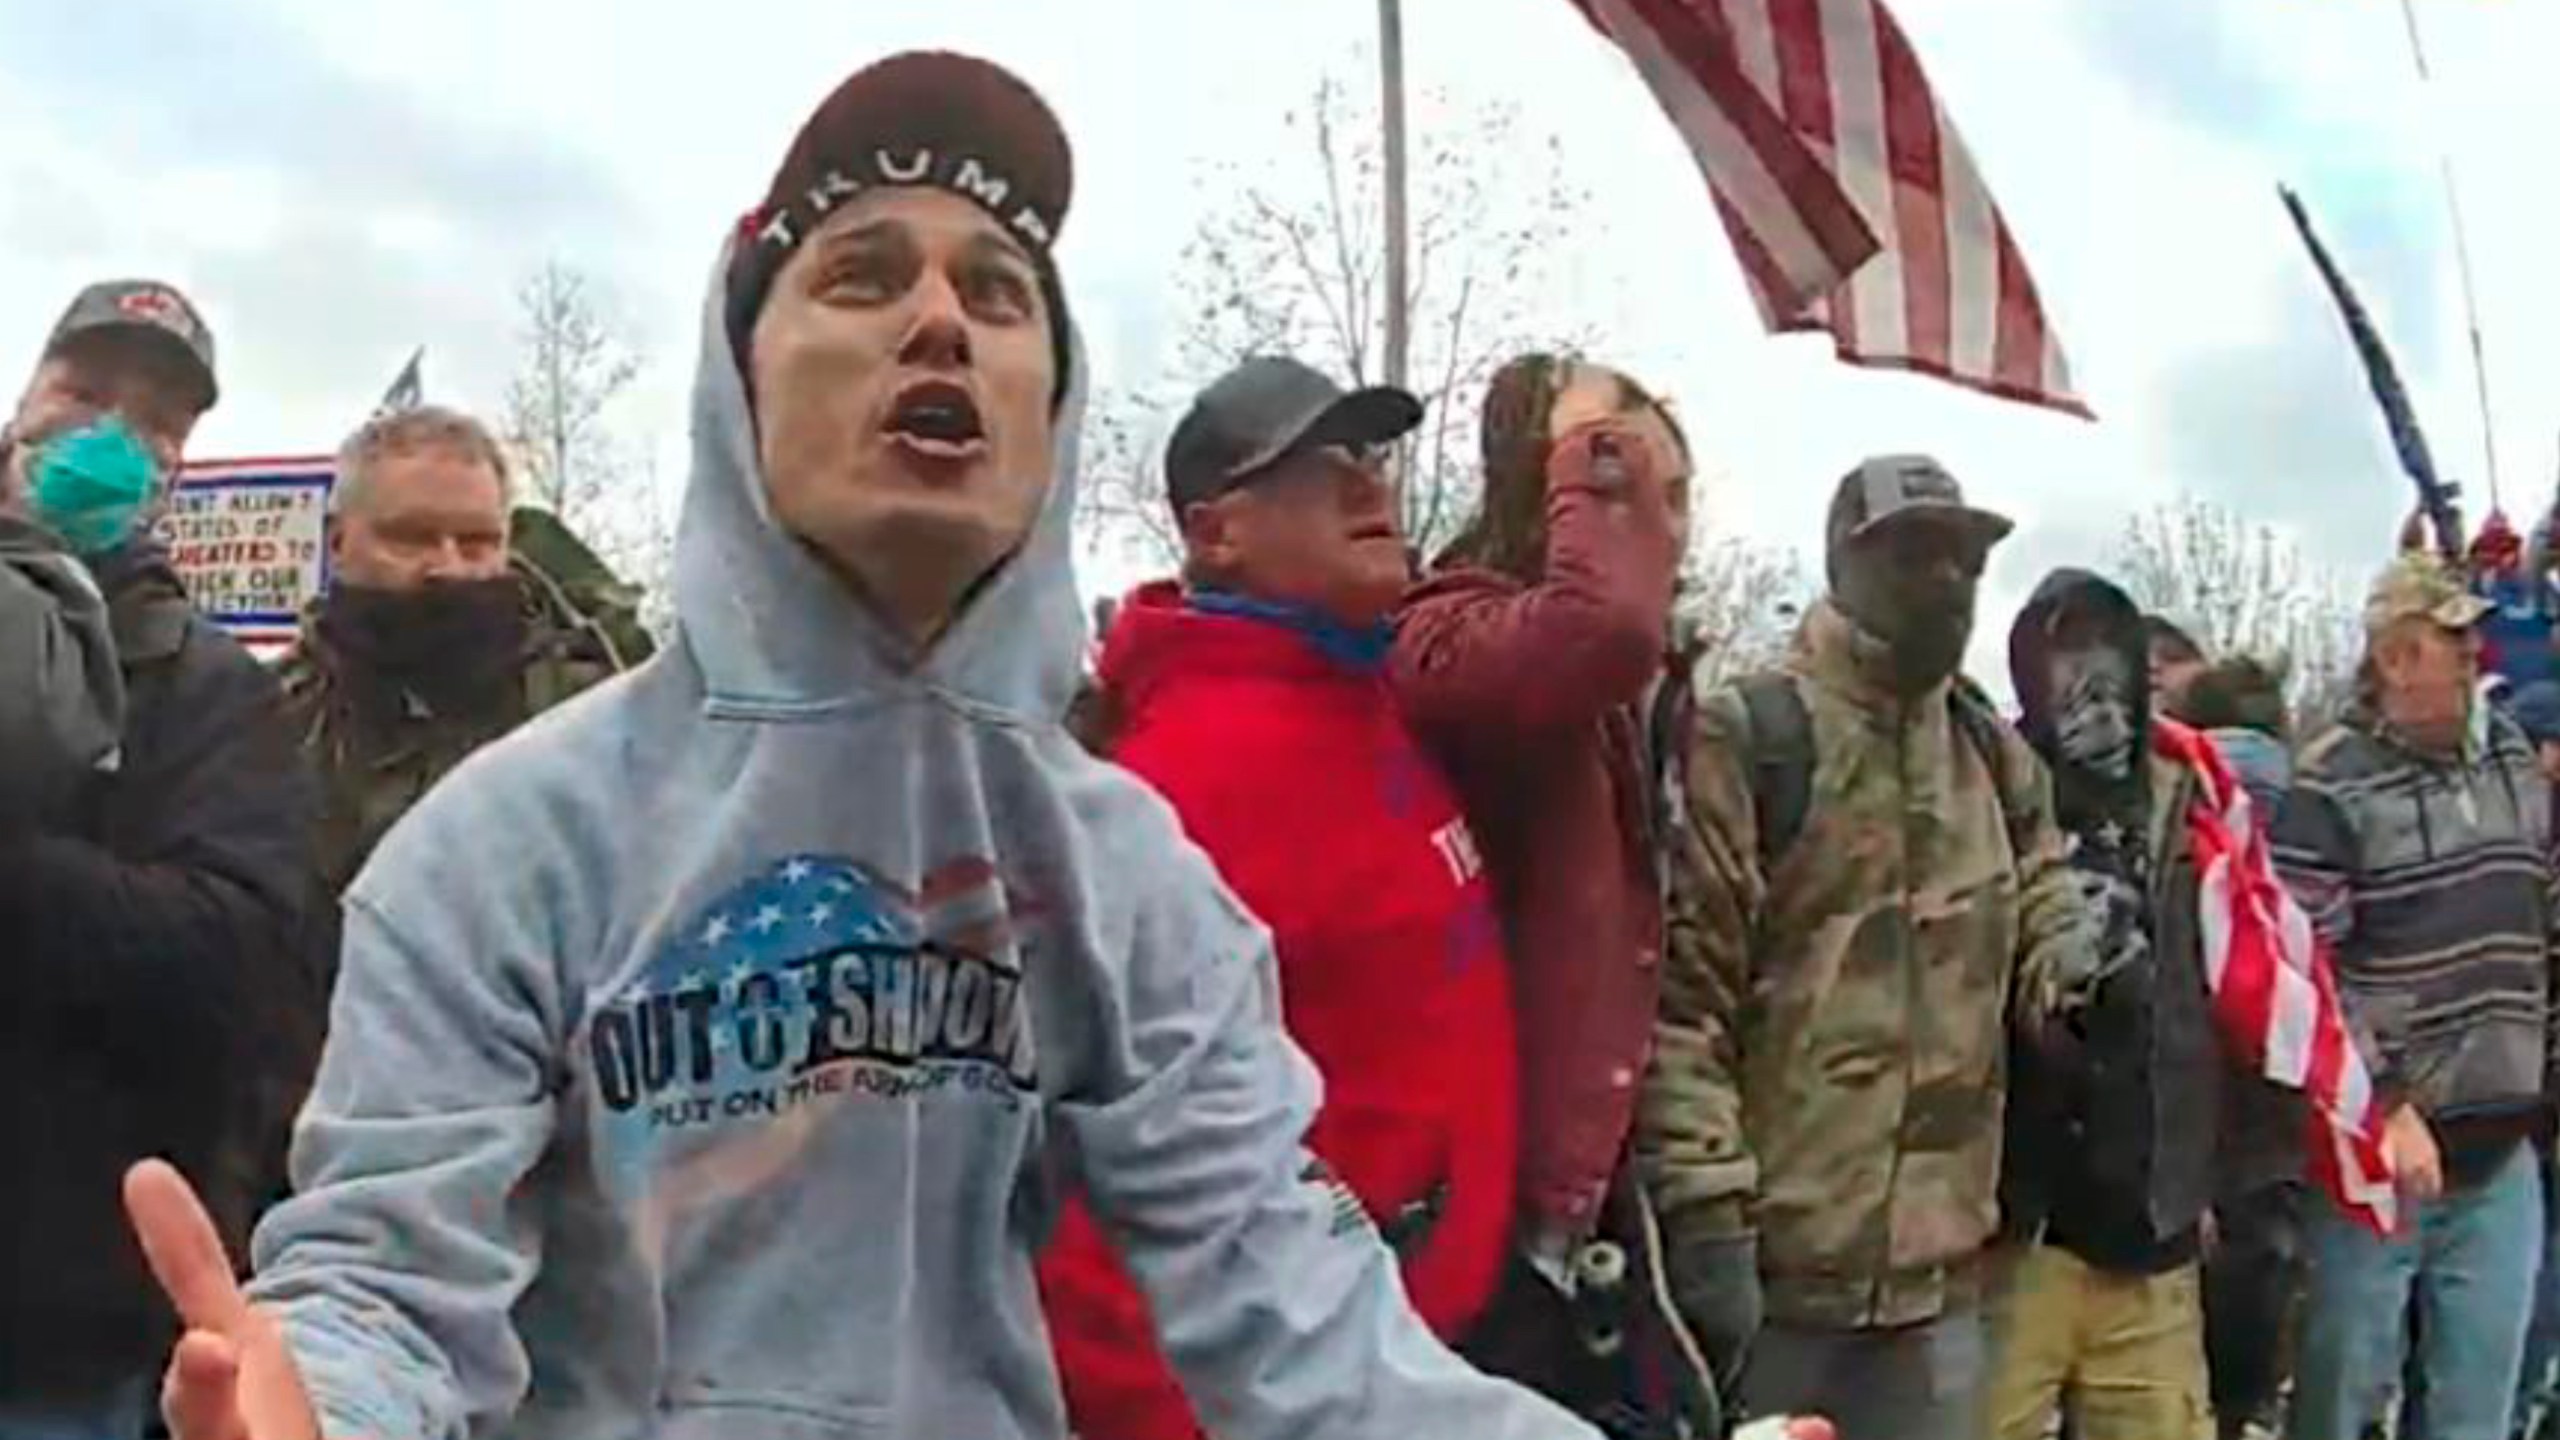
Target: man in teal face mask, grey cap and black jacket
x: 152, y: 865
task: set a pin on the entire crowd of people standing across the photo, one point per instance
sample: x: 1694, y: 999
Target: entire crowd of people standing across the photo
x: 1381, y: 995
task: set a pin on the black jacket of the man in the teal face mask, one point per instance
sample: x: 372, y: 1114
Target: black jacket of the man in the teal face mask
x: 157, y: 1003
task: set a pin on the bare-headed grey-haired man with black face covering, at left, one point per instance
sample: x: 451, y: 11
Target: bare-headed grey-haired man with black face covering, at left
x: 436, y: 634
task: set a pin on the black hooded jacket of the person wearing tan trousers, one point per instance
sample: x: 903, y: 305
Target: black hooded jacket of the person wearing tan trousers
x: 2113, y: 1124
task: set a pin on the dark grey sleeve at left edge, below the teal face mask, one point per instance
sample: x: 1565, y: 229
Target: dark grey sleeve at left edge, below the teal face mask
x: 63, y: 696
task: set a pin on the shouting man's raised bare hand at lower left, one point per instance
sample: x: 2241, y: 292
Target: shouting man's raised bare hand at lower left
x: 232, y: 1375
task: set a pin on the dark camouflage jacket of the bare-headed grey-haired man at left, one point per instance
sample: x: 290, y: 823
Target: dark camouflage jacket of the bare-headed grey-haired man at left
x: 375, y: 767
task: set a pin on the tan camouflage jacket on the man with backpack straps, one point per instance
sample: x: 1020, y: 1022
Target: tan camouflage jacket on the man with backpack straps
x: 1832, y: 1054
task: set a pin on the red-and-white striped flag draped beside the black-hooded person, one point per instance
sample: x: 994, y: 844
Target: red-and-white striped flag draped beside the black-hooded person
x: 2272, y: 983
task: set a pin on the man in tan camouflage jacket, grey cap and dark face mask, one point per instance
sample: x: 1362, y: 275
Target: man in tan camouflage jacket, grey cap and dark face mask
x: 1865, y: 880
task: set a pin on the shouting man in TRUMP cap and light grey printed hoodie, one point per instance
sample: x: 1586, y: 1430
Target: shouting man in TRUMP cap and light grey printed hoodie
x: 710, y: 1057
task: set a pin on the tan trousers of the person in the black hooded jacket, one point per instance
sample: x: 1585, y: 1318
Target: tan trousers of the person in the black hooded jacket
x: 2121, y: 1354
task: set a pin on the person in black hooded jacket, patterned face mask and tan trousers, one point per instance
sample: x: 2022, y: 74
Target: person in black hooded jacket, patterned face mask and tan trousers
x: 2113, y: 1111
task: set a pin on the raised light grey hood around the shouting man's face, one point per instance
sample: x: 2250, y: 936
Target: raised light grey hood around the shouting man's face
x: 777, y: 632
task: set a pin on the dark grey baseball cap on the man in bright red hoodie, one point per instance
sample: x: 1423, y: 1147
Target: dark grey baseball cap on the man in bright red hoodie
x: 1271, y: 409
